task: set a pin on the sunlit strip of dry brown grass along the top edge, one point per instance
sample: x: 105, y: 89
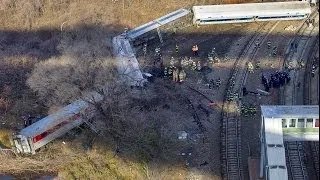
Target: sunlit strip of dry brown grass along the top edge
x: 97, y: 12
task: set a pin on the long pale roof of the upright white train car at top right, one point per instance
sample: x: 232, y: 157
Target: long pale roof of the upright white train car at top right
x: 251, y: 9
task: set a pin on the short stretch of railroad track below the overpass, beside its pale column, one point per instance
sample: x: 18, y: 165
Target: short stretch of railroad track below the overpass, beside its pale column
x: 295, y: 158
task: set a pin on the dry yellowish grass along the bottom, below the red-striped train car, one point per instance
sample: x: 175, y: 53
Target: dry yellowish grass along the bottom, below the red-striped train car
x: 71, y: 162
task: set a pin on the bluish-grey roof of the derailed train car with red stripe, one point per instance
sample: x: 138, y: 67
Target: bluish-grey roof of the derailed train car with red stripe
x: 59, y: 116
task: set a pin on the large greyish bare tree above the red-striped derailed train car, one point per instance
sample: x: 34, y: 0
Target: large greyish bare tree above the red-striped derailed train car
x: 85, y: 65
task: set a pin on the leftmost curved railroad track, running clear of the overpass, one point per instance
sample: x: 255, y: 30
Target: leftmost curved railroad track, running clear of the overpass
x: 231, y: 126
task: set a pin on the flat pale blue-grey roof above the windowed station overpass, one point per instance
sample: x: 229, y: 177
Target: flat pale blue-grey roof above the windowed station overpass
x: 303, y: 111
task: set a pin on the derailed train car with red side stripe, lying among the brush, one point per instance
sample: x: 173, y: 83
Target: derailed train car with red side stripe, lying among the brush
x: 31, y: 138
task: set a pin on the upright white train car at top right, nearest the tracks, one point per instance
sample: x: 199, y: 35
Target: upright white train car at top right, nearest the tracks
x: 250, y: 12
